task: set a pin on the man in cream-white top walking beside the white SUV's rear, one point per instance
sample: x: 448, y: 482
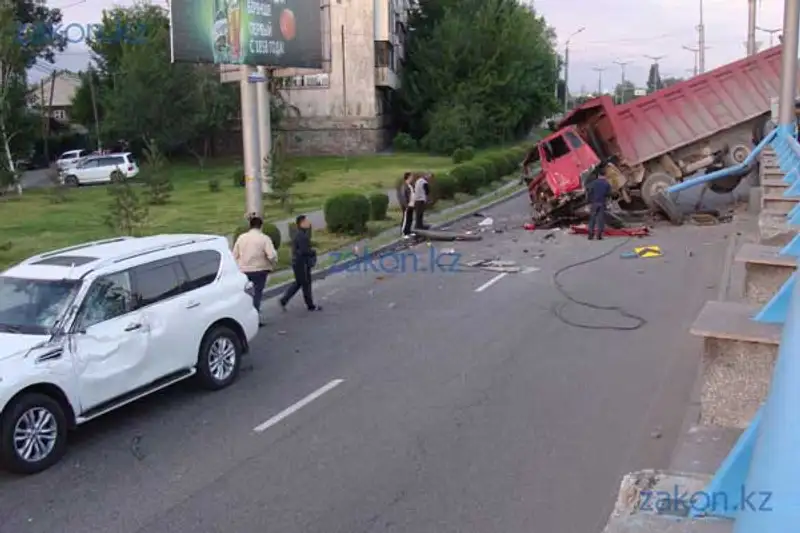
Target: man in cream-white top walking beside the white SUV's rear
x: 256, y: 256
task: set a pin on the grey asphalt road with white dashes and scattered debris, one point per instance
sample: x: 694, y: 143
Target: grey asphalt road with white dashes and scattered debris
x: 463, y: 406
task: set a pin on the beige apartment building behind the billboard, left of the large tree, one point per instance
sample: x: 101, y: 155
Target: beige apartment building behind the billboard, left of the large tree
x: 345, y: 106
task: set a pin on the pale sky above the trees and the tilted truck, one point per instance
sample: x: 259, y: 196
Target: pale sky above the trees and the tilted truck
x: 616, y: 30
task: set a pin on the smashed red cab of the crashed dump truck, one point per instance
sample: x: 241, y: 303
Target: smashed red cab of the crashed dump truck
x: 565, y: 158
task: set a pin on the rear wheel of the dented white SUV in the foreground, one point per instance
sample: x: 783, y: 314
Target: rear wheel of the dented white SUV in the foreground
x: 219, y: 359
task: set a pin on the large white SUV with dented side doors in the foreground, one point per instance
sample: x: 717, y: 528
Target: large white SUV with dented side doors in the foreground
x: 88, y: 329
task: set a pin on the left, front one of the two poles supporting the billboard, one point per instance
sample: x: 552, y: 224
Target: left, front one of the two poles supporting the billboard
x: 250, y: 142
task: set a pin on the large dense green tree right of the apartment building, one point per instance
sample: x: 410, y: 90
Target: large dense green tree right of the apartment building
x: 478, y: 72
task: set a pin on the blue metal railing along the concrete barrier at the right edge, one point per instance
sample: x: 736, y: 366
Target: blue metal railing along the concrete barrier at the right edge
x: 760, y: 478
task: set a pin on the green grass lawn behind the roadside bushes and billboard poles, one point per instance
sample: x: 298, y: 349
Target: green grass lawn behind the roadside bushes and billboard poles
x: 34, y: 223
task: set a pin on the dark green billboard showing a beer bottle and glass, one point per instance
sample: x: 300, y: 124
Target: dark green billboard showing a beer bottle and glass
x: 269, y: 33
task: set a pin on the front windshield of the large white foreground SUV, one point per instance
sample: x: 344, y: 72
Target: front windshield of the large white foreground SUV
x: 34, y: 307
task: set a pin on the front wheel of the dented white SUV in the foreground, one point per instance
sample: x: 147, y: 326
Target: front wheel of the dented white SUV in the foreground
x: 33, y: 434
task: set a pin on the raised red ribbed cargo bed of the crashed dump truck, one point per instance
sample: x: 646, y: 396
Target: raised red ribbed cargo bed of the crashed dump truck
x: 689, y: 111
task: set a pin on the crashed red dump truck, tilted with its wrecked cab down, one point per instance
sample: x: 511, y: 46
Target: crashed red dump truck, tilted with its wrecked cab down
x: 706, y: 123
